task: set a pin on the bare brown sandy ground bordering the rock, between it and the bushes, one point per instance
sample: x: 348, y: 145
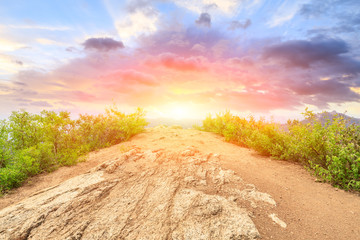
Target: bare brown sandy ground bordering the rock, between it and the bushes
x: 311, y: 210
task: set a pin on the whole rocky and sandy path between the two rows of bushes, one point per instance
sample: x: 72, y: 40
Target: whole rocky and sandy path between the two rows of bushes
x: 178, y: 184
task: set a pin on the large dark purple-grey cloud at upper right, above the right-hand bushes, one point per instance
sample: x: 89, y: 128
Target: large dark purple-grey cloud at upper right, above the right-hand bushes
x: 303, y: 53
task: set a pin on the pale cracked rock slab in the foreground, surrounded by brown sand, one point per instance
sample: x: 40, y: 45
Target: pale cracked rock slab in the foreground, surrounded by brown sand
x: 141, y: 195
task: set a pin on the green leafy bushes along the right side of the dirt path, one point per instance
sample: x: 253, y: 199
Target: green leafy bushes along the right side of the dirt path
x: 331, y: 150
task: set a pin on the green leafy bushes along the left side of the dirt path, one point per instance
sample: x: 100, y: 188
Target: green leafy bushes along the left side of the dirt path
x: 35, y: 143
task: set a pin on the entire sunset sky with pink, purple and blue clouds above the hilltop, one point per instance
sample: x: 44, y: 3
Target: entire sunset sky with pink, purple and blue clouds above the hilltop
x: 180, y: 58
